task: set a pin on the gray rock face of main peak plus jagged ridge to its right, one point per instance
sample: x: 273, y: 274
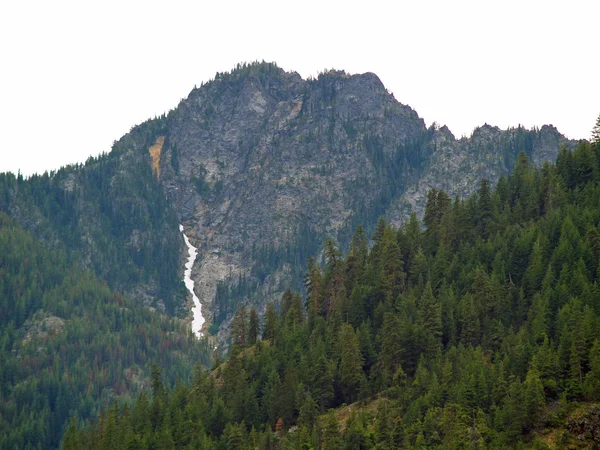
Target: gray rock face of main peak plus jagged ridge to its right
x: 263, y: 156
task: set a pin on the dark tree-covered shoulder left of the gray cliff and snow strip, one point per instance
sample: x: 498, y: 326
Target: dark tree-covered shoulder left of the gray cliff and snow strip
x: 111, y: 213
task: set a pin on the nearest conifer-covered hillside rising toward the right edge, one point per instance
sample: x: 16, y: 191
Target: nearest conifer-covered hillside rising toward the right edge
x: 480, y: 330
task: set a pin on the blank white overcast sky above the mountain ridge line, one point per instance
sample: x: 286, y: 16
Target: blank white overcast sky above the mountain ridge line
x: 75, y: 76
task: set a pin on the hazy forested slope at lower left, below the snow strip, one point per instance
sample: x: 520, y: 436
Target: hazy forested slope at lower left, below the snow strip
x: 69, y: 345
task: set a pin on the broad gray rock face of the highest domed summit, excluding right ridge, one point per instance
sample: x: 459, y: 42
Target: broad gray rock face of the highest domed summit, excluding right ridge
x: 267, y: 161
